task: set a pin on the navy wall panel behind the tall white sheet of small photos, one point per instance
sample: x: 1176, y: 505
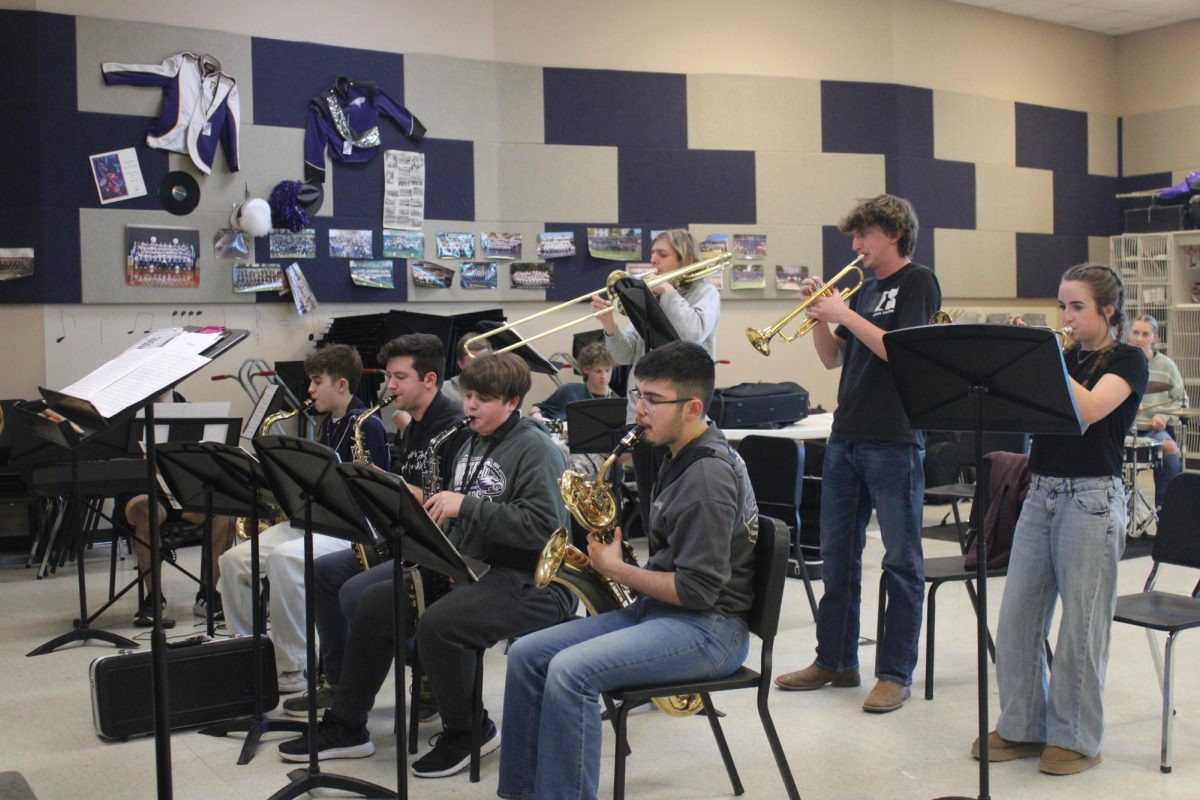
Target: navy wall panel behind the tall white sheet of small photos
x: 449, y: 181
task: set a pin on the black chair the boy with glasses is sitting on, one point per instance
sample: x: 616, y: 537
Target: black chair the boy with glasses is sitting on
x: 771, y: 566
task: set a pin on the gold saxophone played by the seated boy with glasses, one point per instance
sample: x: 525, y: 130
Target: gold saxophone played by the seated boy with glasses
x: 595, y: 507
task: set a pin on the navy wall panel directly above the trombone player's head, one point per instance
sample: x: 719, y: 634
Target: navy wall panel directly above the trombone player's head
x: 701, y: 187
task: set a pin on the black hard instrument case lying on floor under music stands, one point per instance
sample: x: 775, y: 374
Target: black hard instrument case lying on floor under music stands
x: 208, y: 682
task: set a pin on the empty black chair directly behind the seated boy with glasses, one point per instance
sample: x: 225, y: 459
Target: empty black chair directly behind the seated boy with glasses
x: 776, y: 467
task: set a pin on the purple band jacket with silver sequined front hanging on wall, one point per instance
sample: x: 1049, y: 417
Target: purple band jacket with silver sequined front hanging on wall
x: 346, y: 122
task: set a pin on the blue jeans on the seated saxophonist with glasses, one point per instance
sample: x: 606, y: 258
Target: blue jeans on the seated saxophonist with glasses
x: 553, y: 730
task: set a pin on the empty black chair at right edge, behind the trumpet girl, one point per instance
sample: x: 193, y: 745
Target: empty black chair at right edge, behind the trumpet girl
x: 1179, y: 545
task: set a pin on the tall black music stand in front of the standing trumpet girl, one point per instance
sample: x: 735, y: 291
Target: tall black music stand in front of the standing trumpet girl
x: 994, y: 378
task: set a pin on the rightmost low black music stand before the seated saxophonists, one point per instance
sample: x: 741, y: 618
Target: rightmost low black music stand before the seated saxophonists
x: 392, y: 509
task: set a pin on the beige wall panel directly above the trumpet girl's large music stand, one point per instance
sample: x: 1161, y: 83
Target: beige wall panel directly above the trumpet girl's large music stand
x: 976, y: 263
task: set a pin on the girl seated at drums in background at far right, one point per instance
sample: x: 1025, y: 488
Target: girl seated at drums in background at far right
x: 1165, y: 395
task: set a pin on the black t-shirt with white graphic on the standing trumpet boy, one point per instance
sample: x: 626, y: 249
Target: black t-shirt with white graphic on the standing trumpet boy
x: 868, y: 402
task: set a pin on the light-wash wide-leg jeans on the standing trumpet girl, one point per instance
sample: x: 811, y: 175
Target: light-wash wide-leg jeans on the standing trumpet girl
x: 1067, y: 545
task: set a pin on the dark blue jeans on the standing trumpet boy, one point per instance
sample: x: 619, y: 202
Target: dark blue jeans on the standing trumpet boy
x: 890, y: 478
